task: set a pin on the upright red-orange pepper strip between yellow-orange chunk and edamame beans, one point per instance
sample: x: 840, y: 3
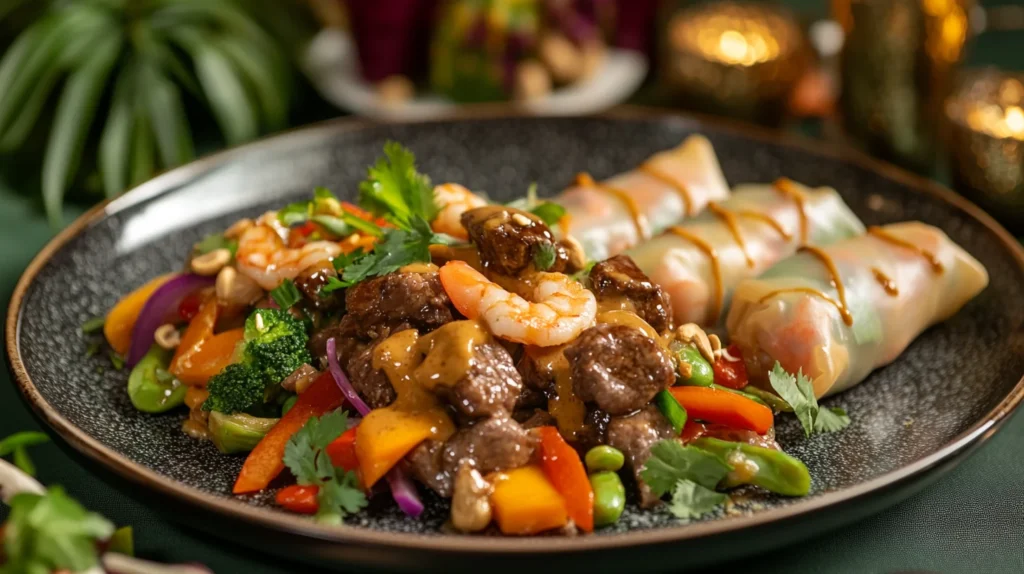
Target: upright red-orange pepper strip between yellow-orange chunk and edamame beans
x: 566, y: 471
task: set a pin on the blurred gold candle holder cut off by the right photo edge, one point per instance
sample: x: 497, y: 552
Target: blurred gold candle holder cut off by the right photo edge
x: 987, y: 128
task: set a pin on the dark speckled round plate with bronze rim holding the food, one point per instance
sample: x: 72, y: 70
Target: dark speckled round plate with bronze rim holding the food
x: 912, y: 420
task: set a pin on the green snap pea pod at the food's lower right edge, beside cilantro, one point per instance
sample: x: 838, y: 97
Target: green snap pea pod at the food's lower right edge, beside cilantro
x: 772, y: 470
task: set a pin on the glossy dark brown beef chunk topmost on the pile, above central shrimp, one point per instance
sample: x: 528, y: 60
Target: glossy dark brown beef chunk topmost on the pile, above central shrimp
x: 509, y: 239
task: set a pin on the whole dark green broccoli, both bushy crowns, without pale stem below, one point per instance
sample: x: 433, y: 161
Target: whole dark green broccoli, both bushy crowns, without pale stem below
x: 275, y: 347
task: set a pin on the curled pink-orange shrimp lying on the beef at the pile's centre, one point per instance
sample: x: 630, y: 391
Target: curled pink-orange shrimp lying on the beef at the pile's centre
x: 561, y: 308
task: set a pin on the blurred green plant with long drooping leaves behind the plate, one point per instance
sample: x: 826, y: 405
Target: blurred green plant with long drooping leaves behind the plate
x: 118, y: 74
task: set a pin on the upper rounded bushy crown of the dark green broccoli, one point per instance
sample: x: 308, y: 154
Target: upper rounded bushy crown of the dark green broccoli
x: 276, y: 343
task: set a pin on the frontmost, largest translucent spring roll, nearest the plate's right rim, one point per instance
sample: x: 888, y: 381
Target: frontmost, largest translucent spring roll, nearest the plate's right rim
x: 839, y: 313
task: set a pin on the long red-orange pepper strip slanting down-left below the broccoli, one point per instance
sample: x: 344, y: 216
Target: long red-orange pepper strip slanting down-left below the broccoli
x: 265, y: 463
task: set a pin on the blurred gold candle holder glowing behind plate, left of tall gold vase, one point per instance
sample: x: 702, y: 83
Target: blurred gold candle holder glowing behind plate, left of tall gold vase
x: 739, y: 60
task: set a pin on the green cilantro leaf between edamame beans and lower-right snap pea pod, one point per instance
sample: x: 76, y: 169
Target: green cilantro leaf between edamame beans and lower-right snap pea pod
x: 671, y: 462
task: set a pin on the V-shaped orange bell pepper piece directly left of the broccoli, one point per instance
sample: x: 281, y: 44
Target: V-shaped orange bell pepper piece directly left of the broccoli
x: 201, y: 354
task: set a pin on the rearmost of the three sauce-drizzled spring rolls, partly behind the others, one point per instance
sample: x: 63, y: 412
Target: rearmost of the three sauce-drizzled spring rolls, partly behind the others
x: 612, y: 216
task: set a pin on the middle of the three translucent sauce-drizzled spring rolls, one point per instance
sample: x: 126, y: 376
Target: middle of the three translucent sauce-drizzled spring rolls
x: 700, y: 263
